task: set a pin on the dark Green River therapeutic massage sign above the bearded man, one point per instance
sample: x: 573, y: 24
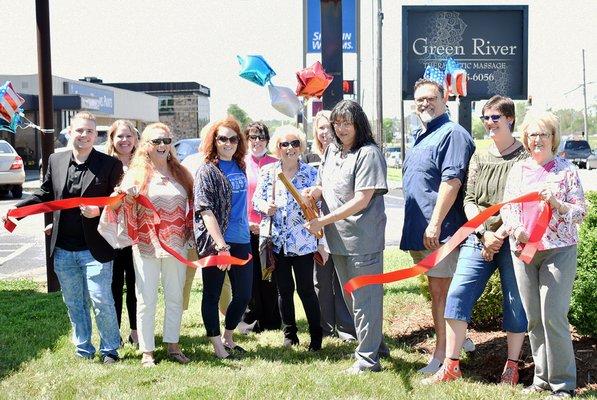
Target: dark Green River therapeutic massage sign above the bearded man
x: 490, y: 43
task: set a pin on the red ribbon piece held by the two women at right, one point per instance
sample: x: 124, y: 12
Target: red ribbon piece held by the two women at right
x: 459, y: 236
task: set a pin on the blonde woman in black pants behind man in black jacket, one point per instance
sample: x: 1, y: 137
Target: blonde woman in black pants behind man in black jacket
x: 122, y: 143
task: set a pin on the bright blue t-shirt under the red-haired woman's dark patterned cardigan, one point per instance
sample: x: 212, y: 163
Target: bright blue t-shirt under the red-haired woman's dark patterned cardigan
x: 238, y: 225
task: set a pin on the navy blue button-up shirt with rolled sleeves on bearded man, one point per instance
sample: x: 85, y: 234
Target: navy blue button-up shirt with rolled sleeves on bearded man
x: 439, y: 154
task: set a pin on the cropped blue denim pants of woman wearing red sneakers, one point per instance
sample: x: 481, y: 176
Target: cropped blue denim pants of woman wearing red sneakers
x: 470, y: 279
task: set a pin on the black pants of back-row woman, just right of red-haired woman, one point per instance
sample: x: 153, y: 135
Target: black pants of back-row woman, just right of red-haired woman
x: 263, y: 306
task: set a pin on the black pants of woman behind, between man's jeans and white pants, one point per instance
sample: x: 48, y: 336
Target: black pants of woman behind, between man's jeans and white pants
x: 124, y: 271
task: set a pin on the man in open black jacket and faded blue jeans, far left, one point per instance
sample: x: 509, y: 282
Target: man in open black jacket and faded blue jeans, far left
x: 82, y: 258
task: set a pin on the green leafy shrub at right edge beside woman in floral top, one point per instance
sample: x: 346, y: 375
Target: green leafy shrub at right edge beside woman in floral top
x: 583, y: 305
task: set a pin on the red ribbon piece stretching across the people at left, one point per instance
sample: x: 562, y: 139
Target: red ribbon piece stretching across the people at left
x: 57, y: 205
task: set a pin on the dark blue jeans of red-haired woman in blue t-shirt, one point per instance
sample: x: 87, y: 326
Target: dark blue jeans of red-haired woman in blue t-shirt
x: 241, y: 280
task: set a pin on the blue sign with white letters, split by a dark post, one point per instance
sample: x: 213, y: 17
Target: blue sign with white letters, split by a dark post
x: 349, y: 23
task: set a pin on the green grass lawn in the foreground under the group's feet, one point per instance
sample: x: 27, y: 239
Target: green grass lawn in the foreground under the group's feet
x: 37, y: 360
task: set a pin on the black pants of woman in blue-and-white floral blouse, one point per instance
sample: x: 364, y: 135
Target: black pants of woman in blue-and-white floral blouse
x: 303, y: 274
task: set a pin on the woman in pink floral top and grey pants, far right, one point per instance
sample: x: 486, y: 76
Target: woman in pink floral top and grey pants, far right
x: 545, y: 284
